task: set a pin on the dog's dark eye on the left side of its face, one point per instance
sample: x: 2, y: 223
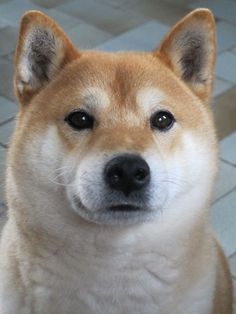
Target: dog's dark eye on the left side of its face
x: 80, y: 120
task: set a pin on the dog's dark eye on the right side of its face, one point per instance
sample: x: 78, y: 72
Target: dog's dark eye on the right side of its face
x: 162, y: 120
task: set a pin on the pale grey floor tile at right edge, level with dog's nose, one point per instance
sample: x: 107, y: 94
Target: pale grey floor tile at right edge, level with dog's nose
x: 226, y: 180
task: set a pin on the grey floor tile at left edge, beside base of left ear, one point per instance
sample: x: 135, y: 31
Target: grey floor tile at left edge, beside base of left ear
x: 6, y: 79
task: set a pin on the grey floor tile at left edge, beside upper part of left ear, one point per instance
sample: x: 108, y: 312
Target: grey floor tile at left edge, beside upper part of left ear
x: 9, y: 33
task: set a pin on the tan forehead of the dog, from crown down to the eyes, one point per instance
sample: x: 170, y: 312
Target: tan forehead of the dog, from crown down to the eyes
x: 120, y: 85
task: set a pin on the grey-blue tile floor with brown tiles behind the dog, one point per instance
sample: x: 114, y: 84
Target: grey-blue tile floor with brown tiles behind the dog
x: 137, y: 24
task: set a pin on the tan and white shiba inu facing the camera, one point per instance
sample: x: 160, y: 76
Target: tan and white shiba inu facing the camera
x: 109, y: 177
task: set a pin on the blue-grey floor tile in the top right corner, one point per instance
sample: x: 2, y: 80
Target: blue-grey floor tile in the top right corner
x: 224, y: 9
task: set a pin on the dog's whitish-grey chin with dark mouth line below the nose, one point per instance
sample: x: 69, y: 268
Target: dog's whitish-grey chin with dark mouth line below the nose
x: 115, y: 215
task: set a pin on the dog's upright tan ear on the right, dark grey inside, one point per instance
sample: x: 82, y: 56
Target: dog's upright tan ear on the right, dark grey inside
x: 189, y: 50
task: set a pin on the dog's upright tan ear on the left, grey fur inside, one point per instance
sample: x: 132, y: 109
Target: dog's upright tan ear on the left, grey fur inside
x: 42, y: 51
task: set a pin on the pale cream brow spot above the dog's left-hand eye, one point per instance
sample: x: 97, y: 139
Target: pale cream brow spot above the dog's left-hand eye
x: 94, y: 97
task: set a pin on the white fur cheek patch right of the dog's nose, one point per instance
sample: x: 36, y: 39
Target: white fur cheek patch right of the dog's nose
x: 187, y: 165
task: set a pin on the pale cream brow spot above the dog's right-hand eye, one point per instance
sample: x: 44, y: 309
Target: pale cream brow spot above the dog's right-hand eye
x: 148, y: 98
